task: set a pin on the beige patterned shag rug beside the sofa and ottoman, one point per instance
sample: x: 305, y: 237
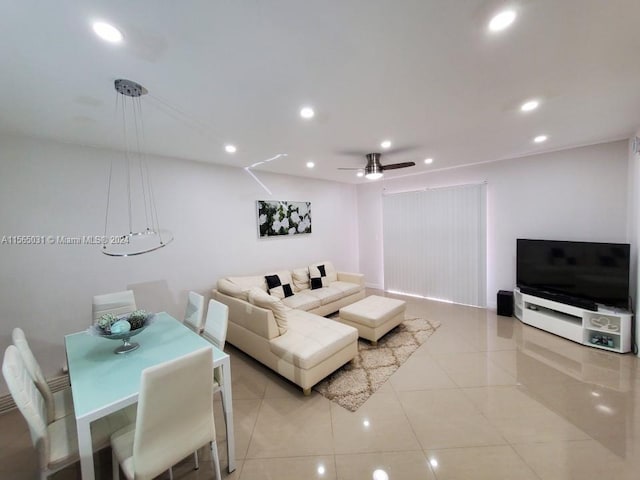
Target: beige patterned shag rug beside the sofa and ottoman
x: 352, y: 384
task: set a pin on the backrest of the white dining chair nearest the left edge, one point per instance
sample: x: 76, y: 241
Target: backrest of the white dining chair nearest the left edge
x: 28, y: 400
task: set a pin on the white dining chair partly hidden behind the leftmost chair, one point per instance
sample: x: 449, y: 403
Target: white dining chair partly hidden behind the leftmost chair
x: 58, y: 404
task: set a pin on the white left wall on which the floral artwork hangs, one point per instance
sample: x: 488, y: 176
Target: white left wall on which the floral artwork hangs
x: 49, y: 188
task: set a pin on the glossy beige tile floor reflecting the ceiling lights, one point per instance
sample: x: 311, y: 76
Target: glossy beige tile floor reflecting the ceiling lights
x: 484, y: 397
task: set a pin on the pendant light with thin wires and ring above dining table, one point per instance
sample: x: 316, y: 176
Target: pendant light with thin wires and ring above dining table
x: 132, y: 225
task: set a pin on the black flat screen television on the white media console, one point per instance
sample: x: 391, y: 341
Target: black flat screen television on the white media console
x: 593, y: 272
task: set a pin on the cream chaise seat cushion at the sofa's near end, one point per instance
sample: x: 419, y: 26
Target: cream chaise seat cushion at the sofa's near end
x: 310, y: 339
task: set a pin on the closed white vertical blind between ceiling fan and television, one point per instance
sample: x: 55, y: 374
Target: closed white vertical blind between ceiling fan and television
x: 435, y: 243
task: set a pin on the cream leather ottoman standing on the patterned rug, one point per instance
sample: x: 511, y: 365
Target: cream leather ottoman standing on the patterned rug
x: 373, y: 316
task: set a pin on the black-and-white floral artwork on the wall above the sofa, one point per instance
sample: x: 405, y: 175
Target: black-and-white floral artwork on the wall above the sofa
x: 283, y: 218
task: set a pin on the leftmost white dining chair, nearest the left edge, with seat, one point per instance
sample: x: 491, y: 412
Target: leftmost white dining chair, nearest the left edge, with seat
x: 56, y: 442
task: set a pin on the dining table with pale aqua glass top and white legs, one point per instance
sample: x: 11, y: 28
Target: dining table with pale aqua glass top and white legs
x: 103, y: 382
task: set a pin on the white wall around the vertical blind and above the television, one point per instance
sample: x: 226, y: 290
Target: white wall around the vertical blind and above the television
x: 577, y: 194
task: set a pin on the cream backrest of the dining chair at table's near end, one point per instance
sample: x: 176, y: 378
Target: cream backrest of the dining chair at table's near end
x: 175, y: 412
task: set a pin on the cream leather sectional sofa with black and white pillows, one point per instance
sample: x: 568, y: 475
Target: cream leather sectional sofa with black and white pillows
x: 278, y: 319
